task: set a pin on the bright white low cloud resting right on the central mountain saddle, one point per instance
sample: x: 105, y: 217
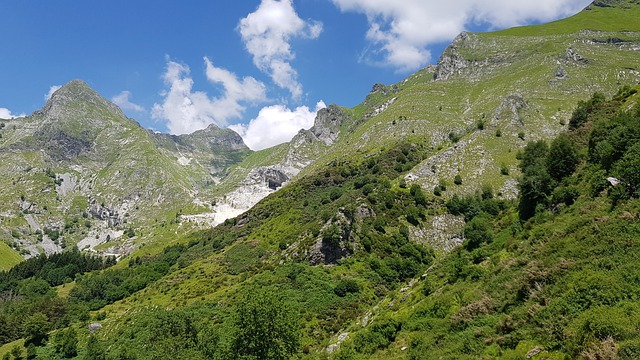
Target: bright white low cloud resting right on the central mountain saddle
x: 275, y: 125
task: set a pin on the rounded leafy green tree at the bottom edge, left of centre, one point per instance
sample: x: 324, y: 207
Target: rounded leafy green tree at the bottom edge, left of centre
x: 266, y: 327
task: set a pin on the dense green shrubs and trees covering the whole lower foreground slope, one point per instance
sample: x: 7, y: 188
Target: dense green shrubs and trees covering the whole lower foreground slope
x: 552, y: 275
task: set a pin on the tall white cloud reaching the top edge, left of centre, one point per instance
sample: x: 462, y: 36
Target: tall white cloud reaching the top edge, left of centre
x: 267, y: 33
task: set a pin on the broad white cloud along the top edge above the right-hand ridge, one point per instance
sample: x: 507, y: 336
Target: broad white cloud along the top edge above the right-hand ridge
x: 402, y: 30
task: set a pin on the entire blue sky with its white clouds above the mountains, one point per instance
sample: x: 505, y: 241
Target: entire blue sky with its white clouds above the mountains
x: 261, y: 67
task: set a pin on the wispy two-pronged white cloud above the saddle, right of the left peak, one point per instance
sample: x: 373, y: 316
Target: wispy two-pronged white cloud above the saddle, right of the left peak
x: 186, y: 110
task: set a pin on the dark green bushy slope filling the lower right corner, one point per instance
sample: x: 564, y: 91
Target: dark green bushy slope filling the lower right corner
x: 553, y: 276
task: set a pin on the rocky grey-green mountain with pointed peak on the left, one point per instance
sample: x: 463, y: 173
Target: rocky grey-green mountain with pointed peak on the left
x: 79, y: 171
